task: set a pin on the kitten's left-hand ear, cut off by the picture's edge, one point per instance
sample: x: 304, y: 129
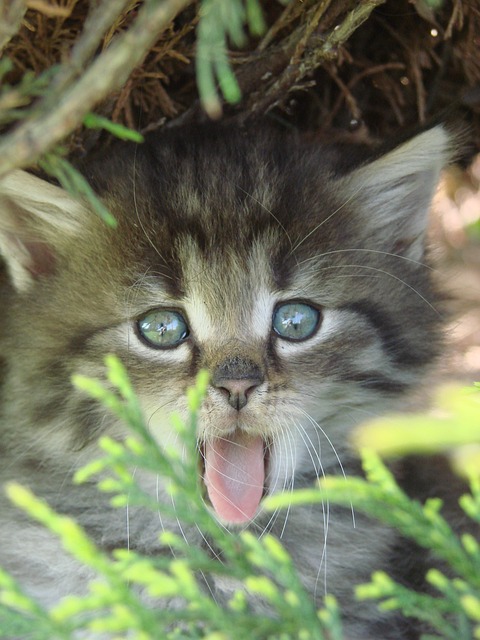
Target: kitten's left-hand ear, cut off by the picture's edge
x: 35, y: 219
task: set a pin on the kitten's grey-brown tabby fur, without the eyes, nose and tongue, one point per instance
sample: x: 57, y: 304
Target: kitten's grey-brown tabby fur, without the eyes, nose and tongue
x: 221, y: 225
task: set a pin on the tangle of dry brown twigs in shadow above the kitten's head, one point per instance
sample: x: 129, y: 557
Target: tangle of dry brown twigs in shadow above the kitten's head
x: 362, y: 69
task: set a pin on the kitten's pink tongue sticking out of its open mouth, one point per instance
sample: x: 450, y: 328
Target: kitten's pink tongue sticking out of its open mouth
x: 234, y: 476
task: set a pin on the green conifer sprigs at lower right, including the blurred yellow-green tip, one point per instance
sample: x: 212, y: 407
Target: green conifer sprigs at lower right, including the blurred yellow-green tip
x: 451, y: 427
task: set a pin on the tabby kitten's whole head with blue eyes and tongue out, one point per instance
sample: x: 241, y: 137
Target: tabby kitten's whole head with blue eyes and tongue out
x: 299, y: 285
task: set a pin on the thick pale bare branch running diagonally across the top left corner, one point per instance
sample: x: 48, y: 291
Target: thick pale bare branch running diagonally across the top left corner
x: 108, y: 72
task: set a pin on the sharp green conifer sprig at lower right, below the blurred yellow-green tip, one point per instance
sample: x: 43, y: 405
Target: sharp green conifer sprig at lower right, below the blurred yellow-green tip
x: 455, y: 612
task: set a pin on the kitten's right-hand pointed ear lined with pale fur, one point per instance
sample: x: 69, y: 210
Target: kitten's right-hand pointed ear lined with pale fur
x: 392, y: 194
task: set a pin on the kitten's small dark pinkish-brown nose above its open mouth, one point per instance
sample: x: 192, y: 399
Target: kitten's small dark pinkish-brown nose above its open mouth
x: 237, y: 377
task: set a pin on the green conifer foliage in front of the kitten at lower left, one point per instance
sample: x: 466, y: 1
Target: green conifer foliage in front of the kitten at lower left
x: 113, y: 605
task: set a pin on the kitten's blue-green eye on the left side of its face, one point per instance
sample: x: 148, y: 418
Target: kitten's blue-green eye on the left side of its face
x: 163, y: 328
